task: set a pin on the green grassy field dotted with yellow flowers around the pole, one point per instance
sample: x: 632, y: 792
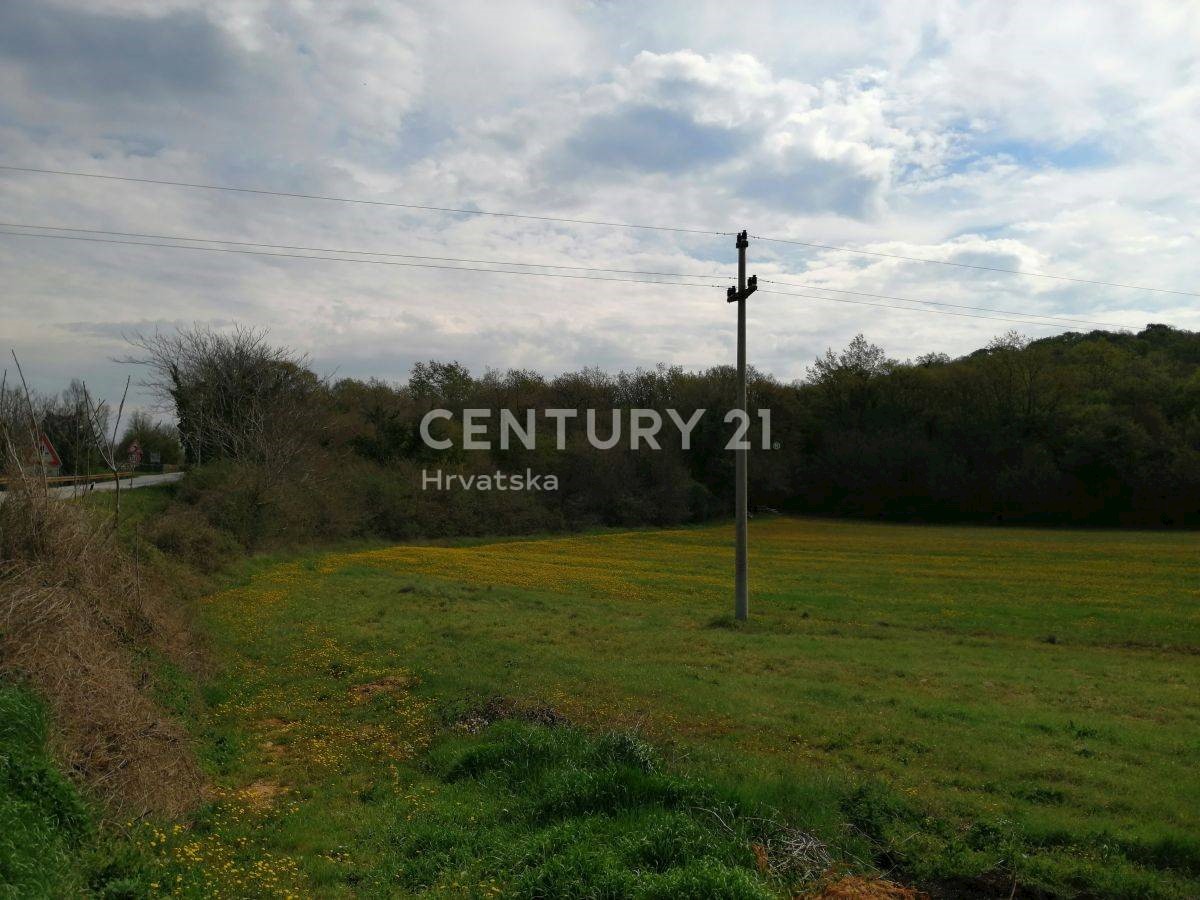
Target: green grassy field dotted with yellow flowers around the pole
x: 977, y: 712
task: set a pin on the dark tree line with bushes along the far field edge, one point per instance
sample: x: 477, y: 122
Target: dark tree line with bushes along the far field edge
x: 1099, y: 429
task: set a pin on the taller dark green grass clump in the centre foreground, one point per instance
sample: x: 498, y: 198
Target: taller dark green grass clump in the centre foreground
x: 555, y: 813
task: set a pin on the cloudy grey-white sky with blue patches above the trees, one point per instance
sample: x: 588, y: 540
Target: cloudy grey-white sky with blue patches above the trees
x: 1058, y: 139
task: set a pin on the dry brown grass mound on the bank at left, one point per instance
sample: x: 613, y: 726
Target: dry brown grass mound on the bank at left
x: 82, y: 627
